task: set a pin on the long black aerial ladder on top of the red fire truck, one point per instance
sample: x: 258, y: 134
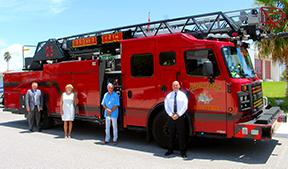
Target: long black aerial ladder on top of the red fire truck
x: 253, y: 23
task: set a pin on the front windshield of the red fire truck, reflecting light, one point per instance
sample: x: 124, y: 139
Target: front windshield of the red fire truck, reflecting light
x: 238, y: 62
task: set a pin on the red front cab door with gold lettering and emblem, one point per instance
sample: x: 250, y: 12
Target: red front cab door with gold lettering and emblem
x: 207, y: 103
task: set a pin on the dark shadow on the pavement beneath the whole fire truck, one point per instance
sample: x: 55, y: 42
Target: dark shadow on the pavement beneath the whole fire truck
x: 237, y: 150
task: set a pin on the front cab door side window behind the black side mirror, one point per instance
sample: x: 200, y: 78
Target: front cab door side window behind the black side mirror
x: 194, y: 60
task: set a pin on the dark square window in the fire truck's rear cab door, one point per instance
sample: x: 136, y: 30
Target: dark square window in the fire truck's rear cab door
x: 142, y: 65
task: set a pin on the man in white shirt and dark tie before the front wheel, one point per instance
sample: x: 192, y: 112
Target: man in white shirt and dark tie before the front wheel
x: 176, y: 104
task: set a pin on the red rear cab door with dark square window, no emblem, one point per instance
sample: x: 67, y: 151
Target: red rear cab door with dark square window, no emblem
x: 138, y: 81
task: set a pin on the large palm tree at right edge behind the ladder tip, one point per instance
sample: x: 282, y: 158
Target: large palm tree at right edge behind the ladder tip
x: 276, y: 47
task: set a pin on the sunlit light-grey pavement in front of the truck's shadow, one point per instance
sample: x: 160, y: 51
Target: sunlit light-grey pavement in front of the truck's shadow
x: 49, y: 149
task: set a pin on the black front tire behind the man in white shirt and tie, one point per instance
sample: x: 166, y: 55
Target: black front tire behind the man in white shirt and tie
x: 161, y: 132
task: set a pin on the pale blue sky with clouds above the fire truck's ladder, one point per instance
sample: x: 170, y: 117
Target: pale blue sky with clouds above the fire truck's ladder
x: 26, y: 22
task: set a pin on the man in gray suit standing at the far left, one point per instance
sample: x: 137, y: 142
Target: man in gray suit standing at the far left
x: 34, y: 104
